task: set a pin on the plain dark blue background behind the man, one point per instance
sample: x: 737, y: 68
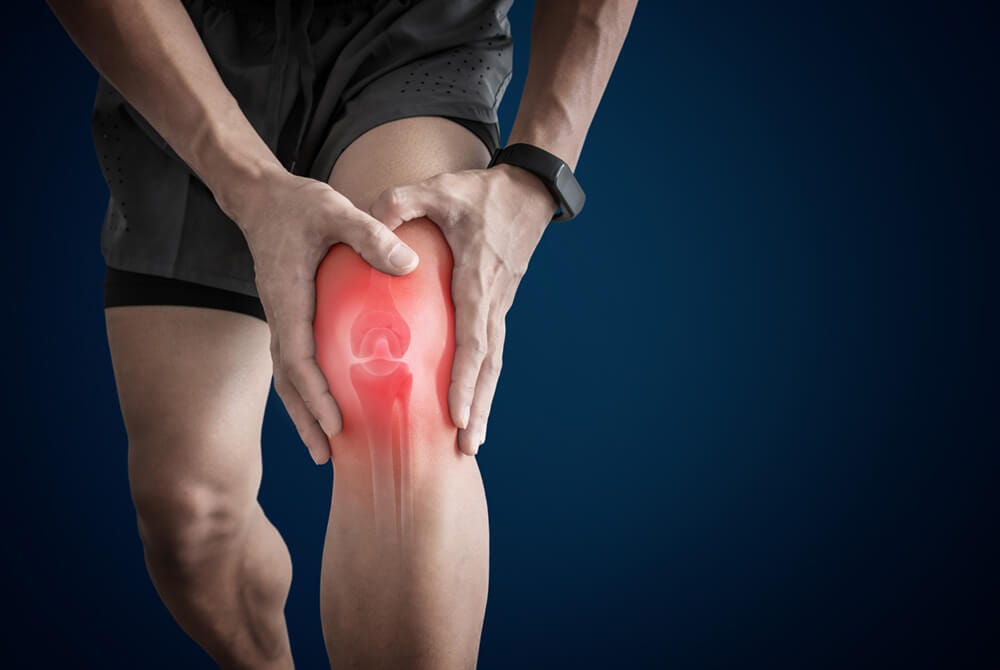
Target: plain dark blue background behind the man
x: 749, y: 411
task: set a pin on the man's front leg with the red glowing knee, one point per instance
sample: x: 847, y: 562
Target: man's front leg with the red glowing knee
x: 405, y: 567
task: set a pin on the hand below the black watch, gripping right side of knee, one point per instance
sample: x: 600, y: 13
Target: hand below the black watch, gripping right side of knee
x: 492, y: 220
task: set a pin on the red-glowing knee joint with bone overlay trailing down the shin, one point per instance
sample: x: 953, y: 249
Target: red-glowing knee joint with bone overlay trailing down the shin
x: 386, y: 345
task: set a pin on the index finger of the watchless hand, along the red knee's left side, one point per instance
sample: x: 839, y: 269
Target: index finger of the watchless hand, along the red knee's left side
x: 298, y: 354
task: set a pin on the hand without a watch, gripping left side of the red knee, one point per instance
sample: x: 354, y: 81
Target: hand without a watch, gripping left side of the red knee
x: 290, y: 223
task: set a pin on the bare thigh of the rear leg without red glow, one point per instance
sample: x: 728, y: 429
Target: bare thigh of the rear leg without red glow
x: 192, y: 384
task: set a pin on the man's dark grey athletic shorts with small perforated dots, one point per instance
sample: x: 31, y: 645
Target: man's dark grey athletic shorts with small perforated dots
x: 311, y: 76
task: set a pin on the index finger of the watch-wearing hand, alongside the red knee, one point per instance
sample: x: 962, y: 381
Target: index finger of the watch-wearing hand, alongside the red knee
x: 471, y: 313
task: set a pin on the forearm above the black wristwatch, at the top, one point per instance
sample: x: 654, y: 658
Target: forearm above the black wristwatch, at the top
x: 574, y: 46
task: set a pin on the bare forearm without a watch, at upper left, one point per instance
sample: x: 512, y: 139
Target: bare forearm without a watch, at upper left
x: 152, y: 54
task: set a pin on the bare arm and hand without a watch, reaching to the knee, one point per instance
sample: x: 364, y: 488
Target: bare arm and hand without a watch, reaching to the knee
x: 150, y: 51
